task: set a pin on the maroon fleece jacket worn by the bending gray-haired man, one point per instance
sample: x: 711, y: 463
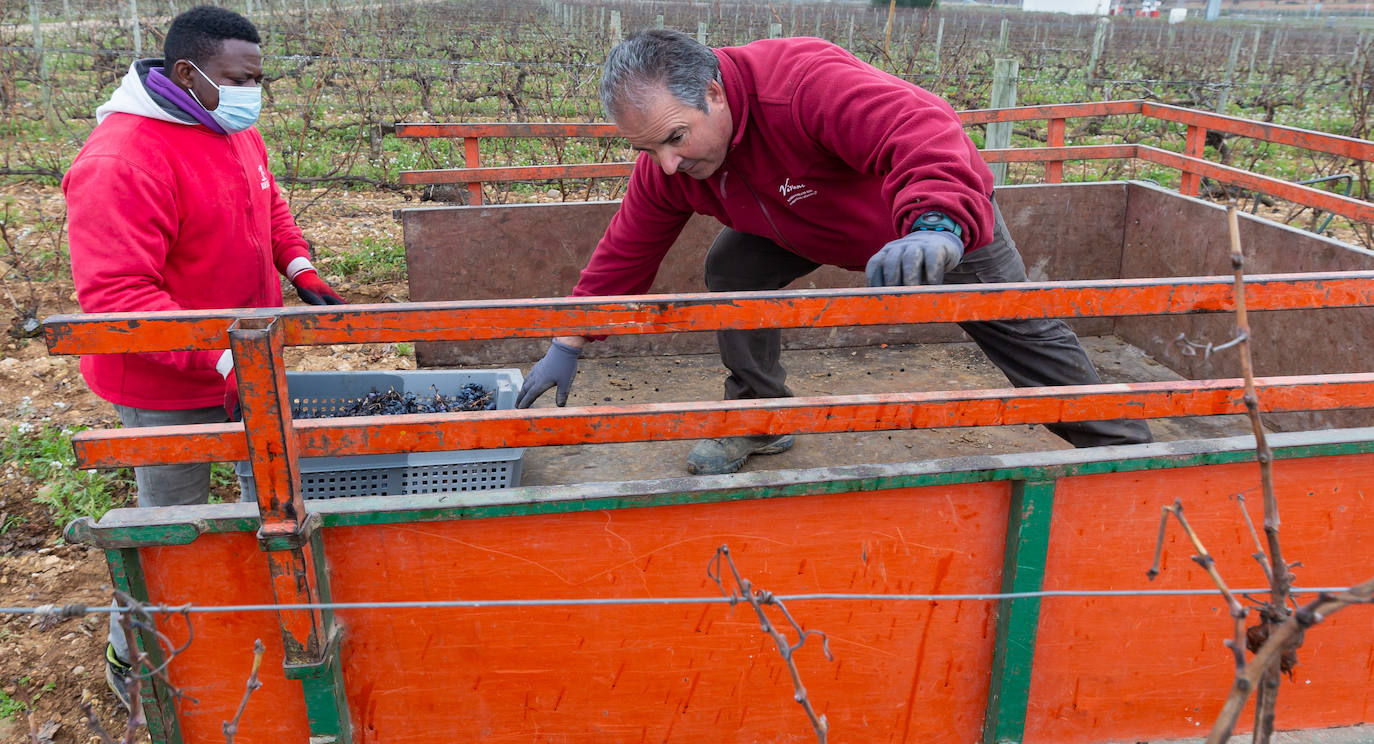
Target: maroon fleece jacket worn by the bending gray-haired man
x: 831, y: 157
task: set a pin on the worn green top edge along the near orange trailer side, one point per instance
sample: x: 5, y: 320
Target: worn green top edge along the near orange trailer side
x: 531, y: 501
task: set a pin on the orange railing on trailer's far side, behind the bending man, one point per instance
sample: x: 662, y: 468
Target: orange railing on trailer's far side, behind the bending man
x: 1055, y: 156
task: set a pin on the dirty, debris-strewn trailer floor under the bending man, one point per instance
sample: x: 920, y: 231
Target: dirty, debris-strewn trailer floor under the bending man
x: 832, y: 372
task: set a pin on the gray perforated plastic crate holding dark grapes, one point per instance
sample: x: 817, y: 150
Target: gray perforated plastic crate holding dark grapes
x: 328, y: 478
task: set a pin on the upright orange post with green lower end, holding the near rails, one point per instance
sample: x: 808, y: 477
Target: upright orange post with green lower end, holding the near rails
x: 288, y: 534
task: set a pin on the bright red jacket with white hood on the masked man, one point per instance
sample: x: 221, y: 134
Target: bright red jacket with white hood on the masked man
x: 168, y: 215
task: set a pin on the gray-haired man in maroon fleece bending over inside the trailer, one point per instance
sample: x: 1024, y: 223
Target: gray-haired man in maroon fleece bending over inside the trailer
x: 809, y: 157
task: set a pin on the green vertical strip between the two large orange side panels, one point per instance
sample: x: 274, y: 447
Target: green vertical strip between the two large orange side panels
x: 1023, y: 570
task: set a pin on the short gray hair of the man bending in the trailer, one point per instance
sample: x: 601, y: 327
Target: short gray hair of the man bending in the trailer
x: 652, y: 58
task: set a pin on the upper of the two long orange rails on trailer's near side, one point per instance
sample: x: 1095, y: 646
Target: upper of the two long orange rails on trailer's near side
x: 464, y: 321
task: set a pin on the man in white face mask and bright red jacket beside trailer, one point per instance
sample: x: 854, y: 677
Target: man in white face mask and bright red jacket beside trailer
x: 171, y: 207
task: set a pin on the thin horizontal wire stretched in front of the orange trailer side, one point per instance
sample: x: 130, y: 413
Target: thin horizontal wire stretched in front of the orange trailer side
x: 76, y: 610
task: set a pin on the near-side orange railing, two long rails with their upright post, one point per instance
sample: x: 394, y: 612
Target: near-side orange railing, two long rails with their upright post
x: 274, y: 442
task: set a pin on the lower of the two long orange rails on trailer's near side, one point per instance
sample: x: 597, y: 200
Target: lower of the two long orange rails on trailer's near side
x: 674, y: 422
